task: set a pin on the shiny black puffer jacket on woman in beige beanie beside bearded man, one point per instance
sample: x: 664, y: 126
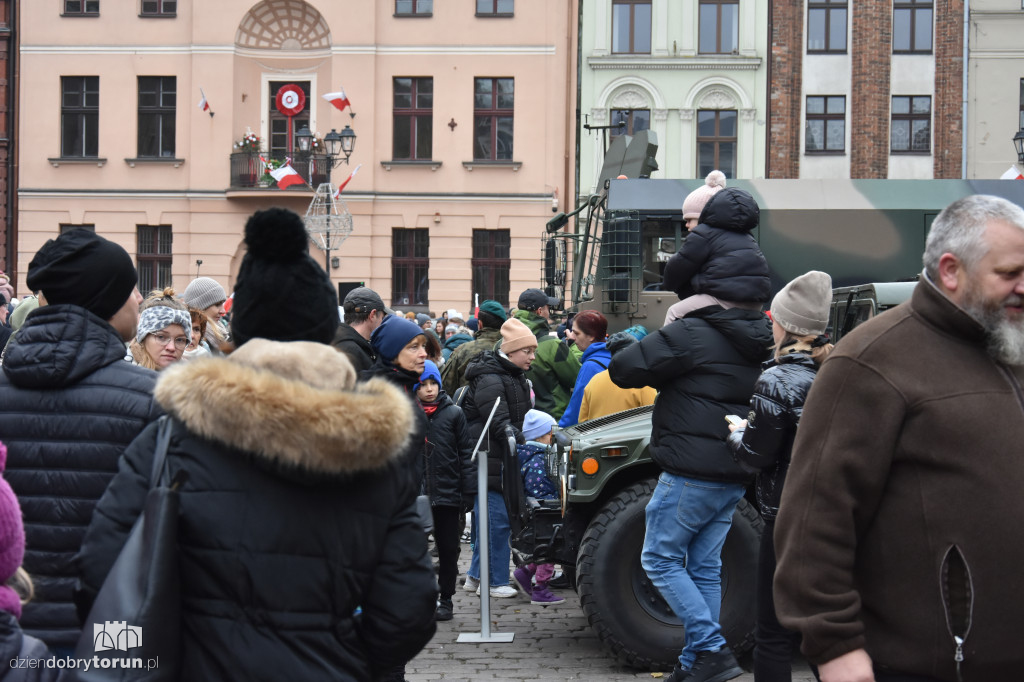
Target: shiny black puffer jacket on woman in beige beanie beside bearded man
x: 766, y: 444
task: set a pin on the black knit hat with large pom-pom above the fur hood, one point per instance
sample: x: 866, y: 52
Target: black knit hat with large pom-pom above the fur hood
x: 282, y: 294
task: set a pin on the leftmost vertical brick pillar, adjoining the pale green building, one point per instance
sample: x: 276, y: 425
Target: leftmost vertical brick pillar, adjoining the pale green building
x: 786, y: 86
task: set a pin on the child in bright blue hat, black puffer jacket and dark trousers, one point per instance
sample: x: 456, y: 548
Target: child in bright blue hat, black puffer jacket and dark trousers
x: 450, y: 478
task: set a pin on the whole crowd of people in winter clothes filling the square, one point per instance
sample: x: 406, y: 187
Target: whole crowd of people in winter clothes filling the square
x: 321, y: 453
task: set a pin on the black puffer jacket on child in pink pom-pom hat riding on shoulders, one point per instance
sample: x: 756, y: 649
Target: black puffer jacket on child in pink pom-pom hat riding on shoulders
x: 720, y: 258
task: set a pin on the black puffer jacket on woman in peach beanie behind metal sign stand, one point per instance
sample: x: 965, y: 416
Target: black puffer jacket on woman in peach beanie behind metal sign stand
x: 491, y: 377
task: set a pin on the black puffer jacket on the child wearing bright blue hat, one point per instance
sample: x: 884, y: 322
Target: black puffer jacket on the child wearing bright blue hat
x: 451, y: 476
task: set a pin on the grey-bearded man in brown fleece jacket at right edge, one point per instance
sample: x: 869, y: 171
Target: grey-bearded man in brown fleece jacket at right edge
x: 899, y: 536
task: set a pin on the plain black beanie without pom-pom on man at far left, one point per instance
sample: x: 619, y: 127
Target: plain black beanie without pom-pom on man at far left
x: 82, y: 269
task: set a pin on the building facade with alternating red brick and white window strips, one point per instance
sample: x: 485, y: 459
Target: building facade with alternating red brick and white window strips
x: 868, y: 90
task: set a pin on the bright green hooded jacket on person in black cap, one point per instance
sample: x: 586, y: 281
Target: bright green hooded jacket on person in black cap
x: 554, y: 370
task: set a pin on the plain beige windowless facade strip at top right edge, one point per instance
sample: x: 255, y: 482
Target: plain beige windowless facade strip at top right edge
x: 996, y: 87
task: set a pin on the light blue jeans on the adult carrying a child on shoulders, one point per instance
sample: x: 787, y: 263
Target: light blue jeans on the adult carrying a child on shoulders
x: 688, y: 523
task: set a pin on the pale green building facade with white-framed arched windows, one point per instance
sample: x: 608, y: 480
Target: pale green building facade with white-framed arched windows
x: 693, y: 71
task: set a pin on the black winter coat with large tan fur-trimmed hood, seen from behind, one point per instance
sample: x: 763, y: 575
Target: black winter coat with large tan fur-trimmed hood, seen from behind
x: 294, y: 516
